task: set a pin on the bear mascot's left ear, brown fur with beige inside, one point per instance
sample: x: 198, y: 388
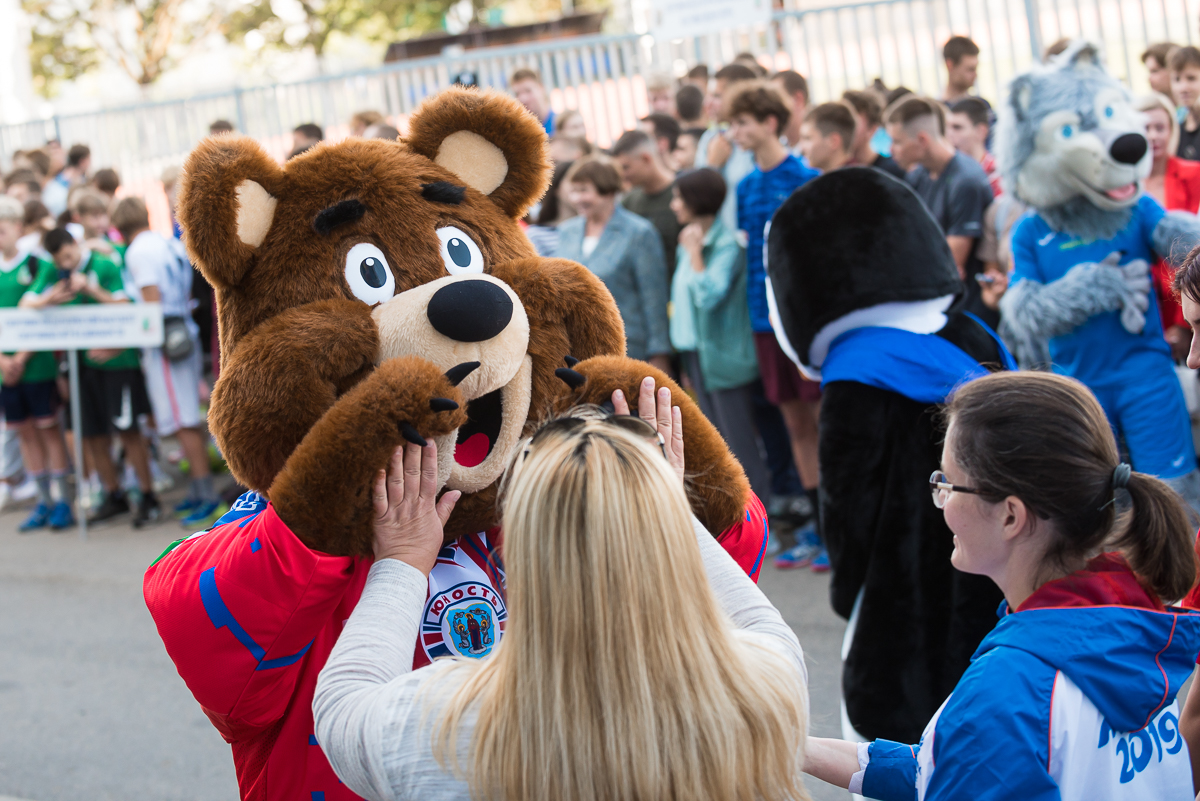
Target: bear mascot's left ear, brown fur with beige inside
x: 227, y: 201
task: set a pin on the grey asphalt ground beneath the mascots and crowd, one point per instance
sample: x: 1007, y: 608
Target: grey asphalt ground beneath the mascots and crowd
x: 92, y: 708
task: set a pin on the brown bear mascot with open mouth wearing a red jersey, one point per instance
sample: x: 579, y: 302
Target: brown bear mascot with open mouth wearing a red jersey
x: 371, y: 293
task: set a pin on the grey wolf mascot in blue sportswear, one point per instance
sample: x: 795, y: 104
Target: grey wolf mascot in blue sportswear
x: 1072, y: 148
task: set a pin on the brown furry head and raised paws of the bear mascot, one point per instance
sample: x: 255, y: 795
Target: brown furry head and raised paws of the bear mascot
x: 371, y: 292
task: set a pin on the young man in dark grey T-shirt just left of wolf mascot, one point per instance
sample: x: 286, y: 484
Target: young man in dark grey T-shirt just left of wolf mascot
x: 952, y: 184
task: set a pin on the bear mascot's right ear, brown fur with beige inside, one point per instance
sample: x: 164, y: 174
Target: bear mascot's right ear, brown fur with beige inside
x: 489, y: 141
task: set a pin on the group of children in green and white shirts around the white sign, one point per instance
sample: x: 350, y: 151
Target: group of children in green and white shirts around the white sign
x: 68, y: 238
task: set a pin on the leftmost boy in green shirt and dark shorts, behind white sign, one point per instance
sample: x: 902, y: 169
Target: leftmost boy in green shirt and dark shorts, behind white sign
x: 31, y: 394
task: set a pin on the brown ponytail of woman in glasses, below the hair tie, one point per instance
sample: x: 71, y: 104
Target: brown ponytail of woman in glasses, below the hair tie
x: 1157, y: 539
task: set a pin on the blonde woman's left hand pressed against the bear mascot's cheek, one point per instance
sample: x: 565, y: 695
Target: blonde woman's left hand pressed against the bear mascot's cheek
x: 409, y: 515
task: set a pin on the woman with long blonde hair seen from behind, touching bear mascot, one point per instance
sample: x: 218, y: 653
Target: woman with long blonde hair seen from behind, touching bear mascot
x: 639, y: 661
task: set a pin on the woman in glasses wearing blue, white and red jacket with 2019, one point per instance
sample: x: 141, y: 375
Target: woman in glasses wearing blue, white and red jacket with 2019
x: 1073, y: 695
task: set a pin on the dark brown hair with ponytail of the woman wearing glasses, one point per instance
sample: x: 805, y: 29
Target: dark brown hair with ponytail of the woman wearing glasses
x: 1045, y: 439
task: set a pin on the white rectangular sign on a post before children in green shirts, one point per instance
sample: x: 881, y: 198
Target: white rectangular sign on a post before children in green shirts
x: 80, y: 328
